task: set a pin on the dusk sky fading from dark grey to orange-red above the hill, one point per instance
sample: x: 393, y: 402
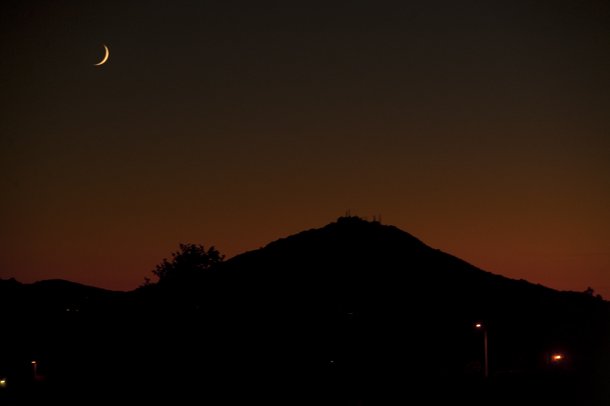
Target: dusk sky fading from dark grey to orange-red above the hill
x: 480, y: 127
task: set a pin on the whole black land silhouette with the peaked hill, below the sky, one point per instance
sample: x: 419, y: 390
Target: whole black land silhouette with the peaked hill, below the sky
x: 355, y: 311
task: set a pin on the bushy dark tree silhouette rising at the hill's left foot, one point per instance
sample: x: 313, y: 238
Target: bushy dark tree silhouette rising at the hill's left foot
x: 187, y: 263
